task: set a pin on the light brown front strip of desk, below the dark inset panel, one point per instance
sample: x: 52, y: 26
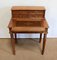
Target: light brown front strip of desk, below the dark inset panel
x: 28, y: 29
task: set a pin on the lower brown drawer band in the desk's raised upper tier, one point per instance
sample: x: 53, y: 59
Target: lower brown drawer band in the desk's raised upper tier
x: 28, y: 16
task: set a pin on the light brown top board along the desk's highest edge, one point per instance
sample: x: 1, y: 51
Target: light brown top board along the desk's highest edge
x: 28, y: 8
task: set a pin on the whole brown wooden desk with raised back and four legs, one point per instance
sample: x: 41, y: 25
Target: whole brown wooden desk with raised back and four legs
x: 28, y: 19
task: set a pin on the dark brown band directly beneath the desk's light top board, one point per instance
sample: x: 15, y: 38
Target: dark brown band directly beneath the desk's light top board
x: 28, y: 12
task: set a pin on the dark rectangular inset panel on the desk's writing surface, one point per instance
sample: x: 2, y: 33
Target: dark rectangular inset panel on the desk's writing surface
x: 28, y: 23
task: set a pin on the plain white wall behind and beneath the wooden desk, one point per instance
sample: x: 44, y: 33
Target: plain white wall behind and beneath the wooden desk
x: 51, y: 16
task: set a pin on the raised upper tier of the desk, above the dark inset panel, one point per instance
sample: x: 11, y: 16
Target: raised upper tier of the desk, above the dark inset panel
x: 28, y: 13
